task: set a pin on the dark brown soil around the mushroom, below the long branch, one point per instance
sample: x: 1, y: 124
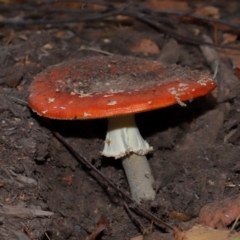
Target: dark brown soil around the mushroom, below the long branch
x: 196, y: 148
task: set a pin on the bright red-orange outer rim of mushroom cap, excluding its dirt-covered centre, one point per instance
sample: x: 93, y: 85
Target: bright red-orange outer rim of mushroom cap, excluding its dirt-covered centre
x: 58, y: 105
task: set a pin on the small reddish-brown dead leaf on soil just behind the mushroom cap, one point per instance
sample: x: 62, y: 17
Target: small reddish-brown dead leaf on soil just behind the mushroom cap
x: 145, y: 46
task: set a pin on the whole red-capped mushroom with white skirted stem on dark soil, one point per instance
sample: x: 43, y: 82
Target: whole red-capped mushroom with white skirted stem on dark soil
x: 117, y: 87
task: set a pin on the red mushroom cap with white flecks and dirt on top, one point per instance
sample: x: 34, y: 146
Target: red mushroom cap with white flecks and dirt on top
x: 105, y: 86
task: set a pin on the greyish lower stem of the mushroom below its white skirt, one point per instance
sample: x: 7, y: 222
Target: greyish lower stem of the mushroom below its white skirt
x: 139, y: 177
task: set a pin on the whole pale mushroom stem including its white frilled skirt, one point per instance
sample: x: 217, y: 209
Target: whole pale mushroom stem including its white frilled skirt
x: 124, y: 141
